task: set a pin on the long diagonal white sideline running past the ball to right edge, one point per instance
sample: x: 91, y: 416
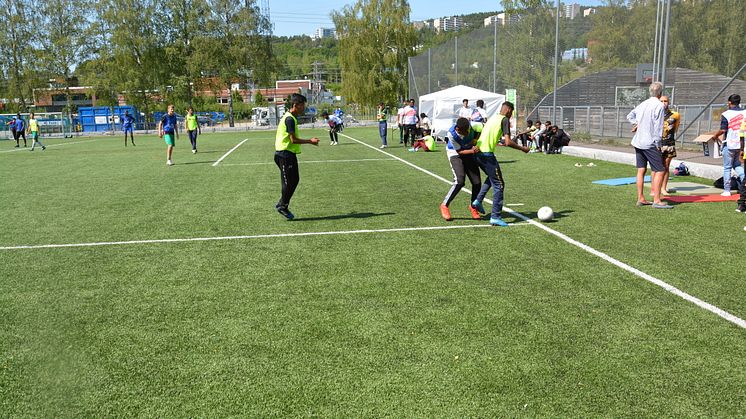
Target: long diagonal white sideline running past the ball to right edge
x: 668, y: 287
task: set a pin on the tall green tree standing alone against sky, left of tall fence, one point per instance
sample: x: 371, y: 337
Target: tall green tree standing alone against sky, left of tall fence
x: 376, y: 40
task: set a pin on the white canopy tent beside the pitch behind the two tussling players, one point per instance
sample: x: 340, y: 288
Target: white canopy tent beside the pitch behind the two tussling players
x: 442, y: 107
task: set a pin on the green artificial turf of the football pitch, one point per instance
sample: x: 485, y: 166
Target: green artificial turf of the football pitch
x: 474, y: 322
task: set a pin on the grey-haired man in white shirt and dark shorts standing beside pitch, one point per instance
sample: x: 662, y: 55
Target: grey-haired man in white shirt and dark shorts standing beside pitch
x: 647, y: 124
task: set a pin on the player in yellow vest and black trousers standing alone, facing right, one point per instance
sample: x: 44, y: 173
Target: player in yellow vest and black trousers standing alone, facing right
x: 287, y: 147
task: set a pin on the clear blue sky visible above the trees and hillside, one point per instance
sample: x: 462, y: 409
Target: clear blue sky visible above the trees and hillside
x: 296, y: 17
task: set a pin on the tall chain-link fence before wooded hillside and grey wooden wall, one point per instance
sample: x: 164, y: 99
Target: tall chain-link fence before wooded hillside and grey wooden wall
x: 605, y: 64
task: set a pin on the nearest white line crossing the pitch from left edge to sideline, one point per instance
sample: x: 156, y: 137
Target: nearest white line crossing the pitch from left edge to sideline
x: 256, y: 236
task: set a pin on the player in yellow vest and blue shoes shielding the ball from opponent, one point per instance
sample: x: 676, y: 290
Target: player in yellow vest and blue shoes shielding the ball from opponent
x: 497, y: 128
